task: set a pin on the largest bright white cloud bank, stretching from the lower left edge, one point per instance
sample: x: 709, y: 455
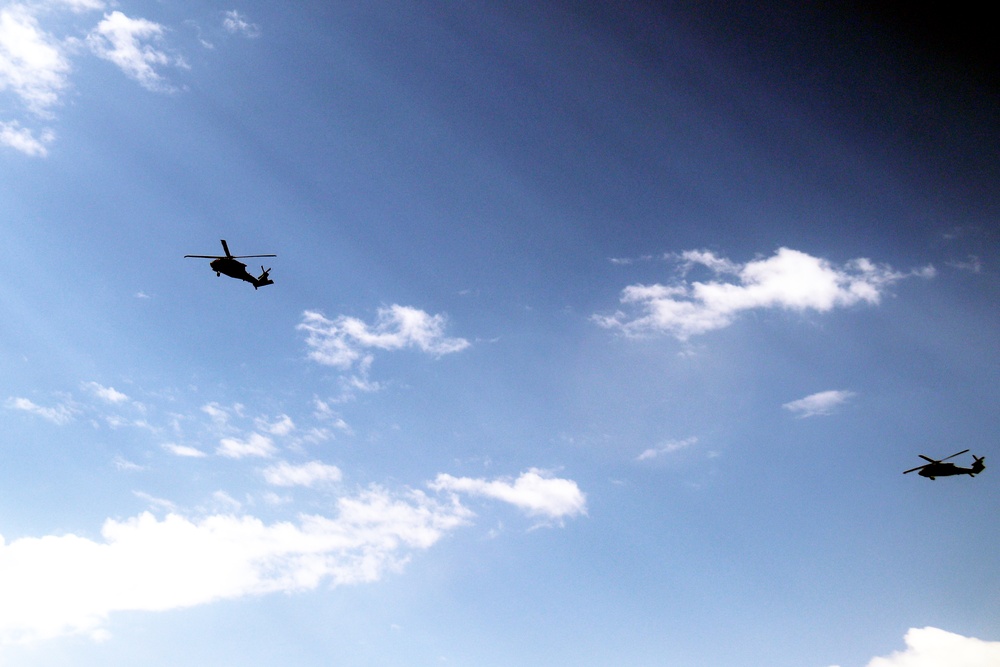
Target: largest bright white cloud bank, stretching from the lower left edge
x: 67, y: 584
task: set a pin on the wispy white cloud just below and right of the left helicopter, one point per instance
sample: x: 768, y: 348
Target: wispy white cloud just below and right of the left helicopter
x: 344, y: 341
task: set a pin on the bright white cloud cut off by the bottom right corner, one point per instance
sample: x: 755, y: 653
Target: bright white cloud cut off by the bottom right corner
x: 931, y: 647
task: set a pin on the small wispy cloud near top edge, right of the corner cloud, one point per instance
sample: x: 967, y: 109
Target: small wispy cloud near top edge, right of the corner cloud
x: 128, y: 43
